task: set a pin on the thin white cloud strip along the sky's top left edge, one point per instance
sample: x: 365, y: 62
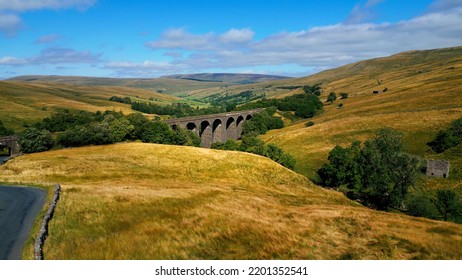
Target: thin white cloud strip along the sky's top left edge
x: 27, y: 5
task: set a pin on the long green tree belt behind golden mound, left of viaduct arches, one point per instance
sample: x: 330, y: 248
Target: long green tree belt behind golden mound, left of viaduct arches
x: 75, y: 129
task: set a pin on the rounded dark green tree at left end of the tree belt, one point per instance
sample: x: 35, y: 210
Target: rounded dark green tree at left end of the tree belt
x: 34, y: 140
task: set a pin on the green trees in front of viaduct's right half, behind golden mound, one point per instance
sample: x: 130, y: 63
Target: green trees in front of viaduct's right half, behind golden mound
x: 255, y: 145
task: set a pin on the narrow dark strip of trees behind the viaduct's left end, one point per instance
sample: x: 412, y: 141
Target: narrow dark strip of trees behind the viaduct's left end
x: 176, y: 109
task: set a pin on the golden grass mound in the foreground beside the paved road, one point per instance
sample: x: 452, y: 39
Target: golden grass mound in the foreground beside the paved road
x: 146, y: 201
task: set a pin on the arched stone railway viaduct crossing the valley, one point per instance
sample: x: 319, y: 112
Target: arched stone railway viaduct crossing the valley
x: 216, y: 127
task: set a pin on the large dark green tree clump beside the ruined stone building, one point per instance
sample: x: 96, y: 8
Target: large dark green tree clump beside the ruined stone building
x: 377, y: 173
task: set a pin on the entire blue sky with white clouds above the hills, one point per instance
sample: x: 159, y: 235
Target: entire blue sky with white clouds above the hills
x: 115, y: 38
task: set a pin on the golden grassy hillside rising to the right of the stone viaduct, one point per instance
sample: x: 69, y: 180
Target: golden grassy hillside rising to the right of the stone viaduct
x: 424, y: 95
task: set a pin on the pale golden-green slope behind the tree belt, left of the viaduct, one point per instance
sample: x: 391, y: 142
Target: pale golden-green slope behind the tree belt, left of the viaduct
x: 22, y: 102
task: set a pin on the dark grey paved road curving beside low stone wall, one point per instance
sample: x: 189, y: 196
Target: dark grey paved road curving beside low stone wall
x: 19, y: 206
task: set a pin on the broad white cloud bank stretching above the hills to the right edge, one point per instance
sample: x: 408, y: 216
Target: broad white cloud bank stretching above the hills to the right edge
x: 316, y: 48
